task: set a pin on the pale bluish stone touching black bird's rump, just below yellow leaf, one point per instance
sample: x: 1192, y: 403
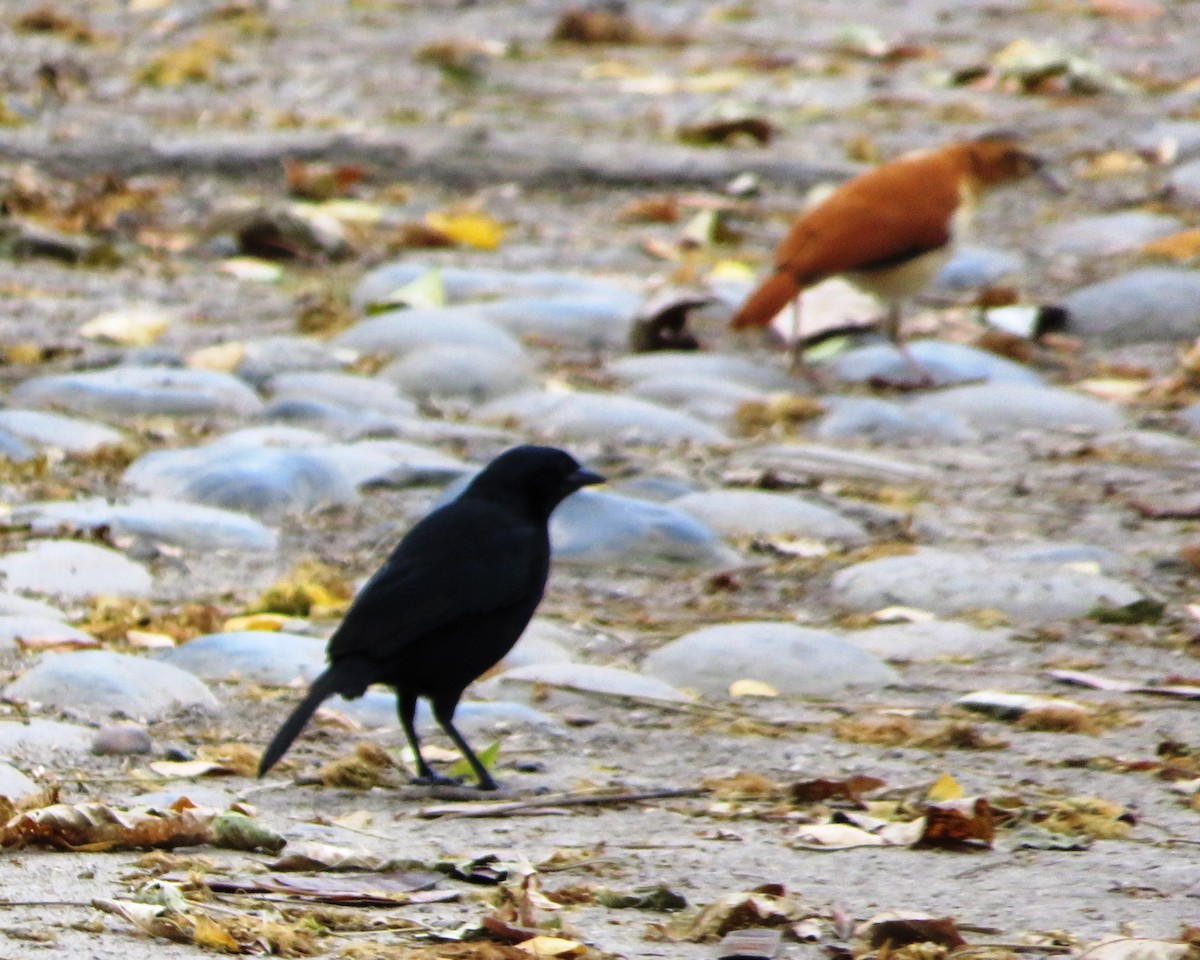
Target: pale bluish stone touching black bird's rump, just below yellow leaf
x: 259, y: 656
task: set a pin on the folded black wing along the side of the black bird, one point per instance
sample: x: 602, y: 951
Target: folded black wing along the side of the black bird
x: 469, y: 559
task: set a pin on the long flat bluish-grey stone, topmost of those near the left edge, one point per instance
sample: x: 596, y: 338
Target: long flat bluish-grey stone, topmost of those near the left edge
x: 141, y: 392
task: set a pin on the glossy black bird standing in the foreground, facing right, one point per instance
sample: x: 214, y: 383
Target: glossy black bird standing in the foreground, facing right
x: 453, y: 598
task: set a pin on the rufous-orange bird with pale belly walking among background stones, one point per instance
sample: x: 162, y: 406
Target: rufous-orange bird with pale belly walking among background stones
x: 887, y: 231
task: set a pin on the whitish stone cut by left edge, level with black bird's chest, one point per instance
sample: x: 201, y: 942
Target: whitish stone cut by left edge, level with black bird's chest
x: 74, y: 571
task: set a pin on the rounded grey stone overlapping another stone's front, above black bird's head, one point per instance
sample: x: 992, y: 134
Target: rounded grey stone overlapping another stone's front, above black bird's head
x: 452, y: 370
